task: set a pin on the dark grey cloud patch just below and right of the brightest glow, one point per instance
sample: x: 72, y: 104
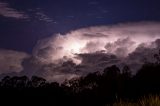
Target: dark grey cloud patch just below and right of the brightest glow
x: 97, y: 61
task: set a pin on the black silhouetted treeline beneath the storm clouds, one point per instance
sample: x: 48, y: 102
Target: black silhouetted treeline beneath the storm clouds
x: 95, y: 89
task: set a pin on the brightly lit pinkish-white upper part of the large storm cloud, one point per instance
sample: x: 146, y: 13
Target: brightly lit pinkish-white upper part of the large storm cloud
x: 120, y: 40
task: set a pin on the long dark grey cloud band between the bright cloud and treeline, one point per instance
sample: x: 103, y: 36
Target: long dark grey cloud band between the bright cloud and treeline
x: 91, y: 62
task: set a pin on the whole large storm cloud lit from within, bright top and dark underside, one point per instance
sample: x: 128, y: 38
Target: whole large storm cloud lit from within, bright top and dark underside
x: 91, y: 49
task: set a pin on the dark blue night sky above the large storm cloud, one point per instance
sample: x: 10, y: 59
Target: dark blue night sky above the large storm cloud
x: 24, y: 22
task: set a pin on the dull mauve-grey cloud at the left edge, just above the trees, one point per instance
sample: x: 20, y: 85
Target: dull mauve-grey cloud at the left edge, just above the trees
x: 10, y: 61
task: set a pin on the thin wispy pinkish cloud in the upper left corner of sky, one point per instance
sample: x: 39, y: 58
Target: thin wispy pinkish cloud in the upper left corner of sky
x: 7, y: 11
